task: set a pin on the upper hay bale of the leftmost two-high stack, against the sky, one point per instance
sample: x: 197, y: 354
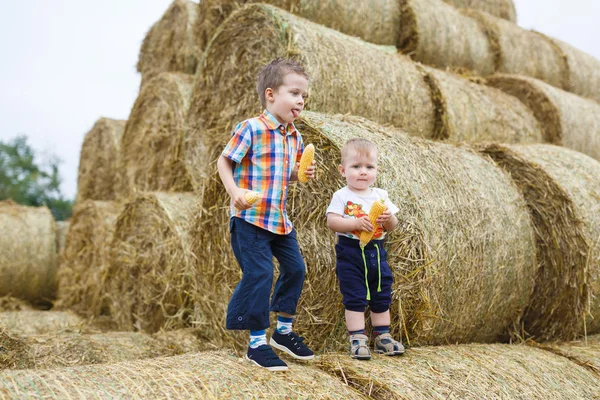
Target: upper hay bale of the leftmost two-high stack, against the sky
x: 98, y: 161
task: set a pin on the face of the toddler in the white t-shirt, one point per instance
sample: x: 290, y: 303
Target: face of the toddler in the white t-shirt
x: 360, y: 170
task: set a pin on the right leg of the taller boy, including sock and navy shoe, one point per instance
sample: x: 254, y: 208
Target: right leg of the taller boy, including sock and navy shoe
x: 287, y: 293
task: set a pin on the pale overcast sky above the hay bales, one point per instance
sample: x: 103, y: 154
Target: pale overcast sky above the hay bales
x: 66, y: 63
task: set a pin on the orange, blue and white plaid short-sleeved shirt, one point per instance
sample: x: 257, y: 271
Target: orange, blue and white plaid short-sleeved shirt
x: 265, y: 154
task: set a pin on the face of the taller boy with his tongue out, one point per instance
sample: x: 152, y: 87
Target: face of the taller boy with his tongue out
x: 287, y: 102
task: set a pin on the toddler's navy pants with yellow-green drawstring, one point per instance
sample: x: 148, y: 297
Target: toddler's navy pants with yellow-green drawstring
x: 355, y: 272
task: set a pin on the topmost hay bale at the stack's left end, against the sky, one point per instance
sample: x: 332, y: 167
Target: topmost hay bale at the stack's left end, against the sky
x: 170, y: 45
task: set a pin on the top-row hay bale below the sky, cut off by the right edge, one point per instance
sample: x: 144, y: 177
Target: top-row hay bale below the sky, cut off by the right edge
x: 584, y: 71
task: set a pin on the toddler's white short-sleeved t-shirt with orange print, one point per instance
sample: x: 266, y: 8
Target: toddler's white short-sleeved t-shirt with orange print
x: 352, y: 206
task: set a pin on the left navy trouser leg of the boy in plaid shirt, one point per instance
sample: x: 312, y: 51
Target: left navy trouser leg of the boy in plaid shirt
x: 249, y: 305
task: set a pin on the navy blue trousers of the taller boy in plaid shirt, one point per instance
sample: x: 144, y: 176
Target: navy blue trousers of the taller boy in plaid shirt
x: 254, y: 249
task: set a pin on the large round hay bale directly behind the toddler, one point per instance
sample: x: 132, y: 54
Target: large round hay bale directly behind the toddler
x: 464, y: 260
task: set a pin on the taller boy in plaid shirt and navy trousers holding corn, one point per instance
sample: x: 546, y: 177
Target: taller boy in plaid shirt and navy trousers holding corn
x: 263, y: 155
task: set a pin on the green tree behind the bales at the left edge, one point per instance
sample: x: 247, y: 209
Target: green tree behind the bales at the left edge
x: 29, y: 182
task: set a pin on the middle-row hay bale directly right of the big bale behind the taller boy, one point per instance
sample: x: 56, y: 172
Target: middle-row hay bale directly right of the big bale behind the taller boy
x: 467, y: 111
